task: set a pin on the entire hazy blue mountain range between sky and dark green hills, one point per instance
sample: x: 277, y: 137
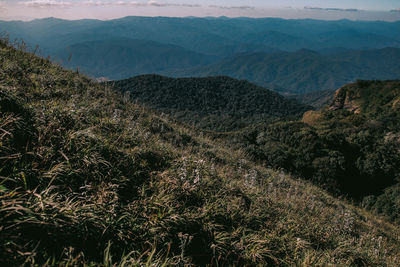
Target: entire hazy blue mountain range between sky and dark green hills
x: 184, y: 43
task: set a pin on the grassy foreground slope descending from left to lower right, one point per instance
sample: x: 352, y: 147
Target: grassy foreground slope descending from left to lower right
x: 89, y: 179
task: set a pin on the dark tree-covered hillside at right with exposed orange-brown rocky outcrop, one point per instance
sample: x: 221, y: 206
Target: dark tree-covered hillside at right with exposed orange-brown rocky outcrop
x: 350, y: 147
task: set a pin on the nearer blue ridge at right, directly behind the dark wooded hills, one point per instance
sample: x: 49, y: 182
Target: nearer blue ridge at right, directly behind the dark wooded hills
x: 305, y: 71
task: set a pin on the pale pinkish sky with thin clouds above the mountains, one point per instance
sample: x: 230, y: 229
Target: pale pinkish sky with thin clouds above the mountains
x: 388, y: 10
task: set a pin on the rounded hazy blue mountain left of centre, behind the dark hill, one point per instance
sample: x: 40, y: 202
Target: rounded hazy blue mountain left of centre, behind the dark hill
x: 121, y: 58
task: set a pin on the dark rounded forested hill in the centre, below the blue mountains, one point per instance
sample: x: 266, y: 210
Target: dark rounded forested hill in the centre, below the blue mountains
x: 217, y: 103
